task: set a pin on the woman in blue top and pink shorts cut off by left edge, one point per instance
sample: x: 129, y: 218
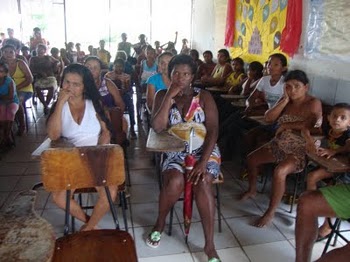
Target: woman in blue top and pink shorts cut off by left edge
x: 8, y: 105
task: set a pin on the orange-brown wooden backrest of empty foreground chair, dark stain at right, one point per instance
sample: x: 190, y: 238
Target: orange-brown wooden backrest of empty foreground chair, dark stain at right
x: 82, y: 167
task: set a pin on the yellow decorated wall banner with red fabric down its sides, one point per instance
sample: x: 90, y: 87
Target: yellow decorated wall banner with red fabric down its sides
x: 263, y: 27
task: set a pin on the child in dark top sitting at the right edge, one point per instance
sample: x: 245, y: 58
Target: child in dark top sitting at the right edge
x: 337, y: 140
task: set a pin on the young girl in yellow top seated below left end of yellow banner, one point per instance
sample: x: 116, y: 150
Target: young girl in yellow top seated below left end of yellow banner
x: 236, y: 78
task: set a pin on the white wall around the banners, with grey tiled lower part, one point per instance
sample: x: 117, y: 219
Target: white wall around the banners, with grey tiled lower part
x: 329, y: 80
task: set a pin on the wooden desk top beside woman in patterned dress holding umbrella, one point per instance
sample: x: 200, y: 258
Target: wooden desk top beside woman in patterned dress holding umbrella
x: 163, y: 142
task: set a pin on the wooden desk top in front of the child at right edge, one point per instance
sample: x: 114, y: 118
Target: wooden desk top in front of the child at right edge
x: 337, y: 164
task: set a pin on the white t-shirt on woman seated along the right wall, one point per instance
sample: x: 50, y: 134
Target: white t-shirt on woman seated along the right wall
x: 272, y: 93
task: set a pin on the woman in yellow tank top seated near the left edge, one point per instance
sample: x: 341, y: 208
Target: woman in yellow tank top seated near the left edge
x: 23, y: 78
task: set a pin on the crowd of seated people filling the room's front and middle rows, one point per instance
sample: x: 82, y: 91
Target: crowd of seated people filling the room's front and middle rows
x: 175, y: 91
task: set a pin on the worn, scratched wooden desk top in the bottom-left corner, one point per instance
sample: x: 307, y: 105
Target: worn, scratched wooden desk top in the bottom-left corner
x: 24, y: 235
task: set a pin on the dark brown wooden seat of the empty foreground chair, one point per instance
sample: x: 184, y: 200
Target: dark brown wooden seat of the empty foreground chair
x: 96, y: 245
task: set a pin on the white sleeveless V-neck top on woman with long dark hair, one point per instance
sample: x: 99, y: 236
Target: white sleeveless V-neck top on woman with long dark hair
x: 85, y: 134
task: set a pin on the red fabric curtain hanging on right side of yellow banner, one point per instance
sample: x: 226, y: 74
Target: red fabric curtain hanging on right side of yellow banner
x: 291, y: 33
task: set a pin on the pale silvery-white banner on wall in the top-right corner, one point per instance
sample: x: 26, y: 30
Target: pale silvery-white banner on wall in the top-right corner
x: 328, y: 31
